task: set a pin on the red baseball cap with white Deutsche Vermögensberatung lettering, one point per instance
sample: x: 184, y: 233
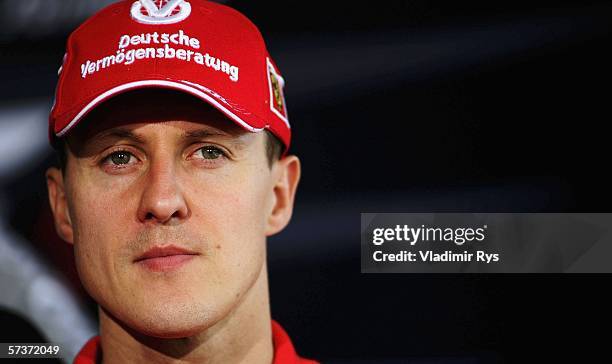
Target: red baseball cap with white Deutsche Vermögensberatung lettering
x: 199, y: 47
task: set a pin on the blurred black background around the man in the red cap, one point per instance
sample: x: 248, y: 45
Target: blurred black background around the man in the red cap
x: 411, y: 106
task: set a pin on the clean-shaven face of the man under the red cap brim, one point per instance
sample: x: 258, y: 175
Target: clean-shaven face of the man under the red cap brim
x: 182, y: 177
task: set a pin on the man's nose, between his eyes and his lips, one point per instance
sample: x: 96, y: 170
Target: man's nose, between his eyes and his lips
x: 162, y: 199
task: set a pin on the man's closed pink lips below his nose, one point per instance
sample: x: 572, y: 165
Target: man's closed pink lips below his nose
x: 167, y: 258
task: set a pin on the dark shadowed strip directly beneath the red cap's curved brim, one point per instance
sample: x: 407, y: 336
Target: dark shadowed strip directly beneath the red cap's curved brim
x: 151, y: 107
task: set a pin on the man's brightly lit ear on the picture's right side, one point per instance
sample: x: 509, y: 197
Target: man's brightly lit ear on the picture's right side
x: 286, y: 174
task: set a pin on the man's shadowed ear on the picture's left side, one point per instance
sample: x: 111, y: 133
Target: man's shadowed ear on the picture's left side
x: 59, y: 205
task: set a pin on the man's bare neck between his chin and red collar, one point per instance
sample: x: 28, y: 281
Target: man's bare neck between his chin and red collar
x: 244, y: 335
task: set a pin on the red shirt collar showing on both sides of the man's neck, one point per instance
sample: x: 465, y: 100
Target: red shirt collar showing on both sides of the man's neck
x: 284, y: 353
